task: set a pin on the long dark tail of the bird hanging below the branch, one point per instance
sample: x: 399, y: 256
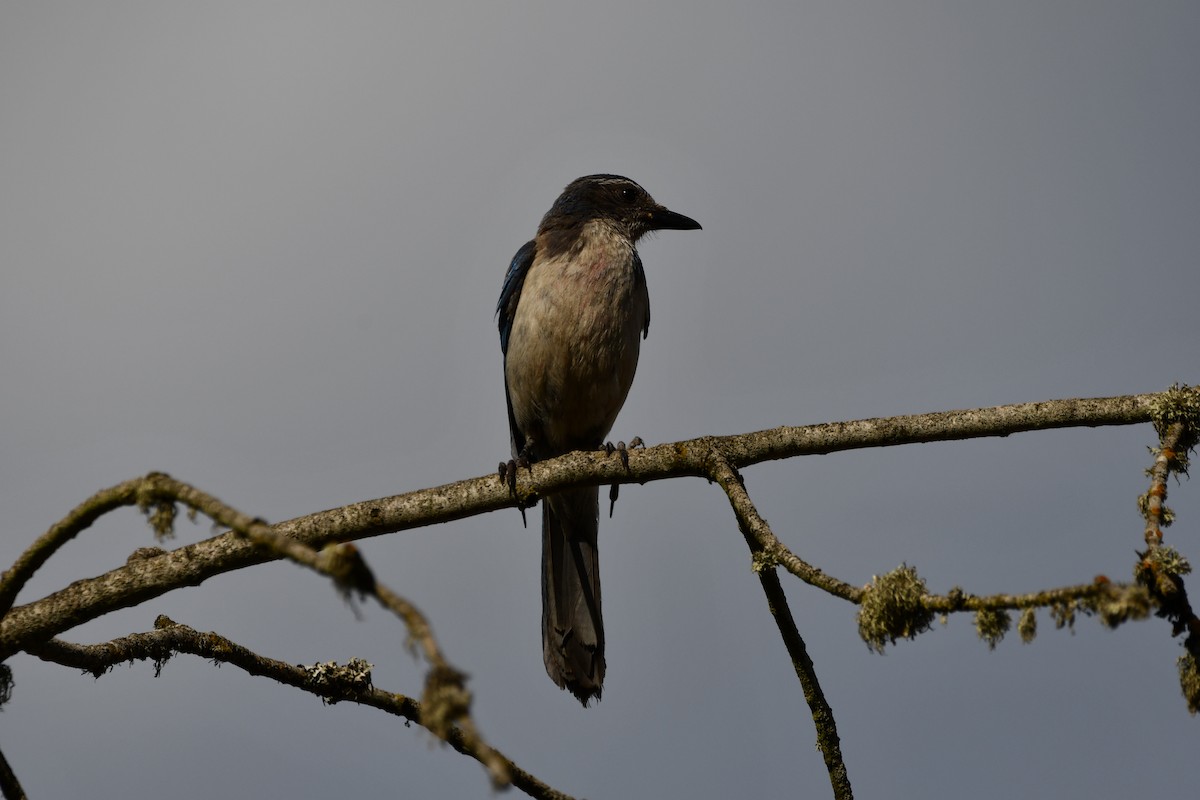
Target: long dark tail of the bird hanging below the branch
x: 572, y: 629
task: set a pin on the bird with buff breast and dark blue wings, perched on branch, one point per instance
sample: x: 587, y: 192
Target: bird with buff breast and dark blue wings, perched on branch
x: 573, y: 311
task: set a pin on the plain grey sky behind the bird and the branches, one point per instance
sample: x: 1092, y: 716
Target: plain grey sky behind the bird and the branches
x: 259, y: 246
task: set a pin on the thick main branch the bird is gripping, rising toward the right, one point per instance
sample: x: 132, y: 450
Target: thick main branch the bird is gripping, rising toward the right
x: 191, y: 566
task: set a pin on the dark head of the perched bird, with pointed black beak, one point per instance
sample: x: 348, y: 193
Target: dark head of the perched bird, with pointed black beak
x: 613, y: 200
